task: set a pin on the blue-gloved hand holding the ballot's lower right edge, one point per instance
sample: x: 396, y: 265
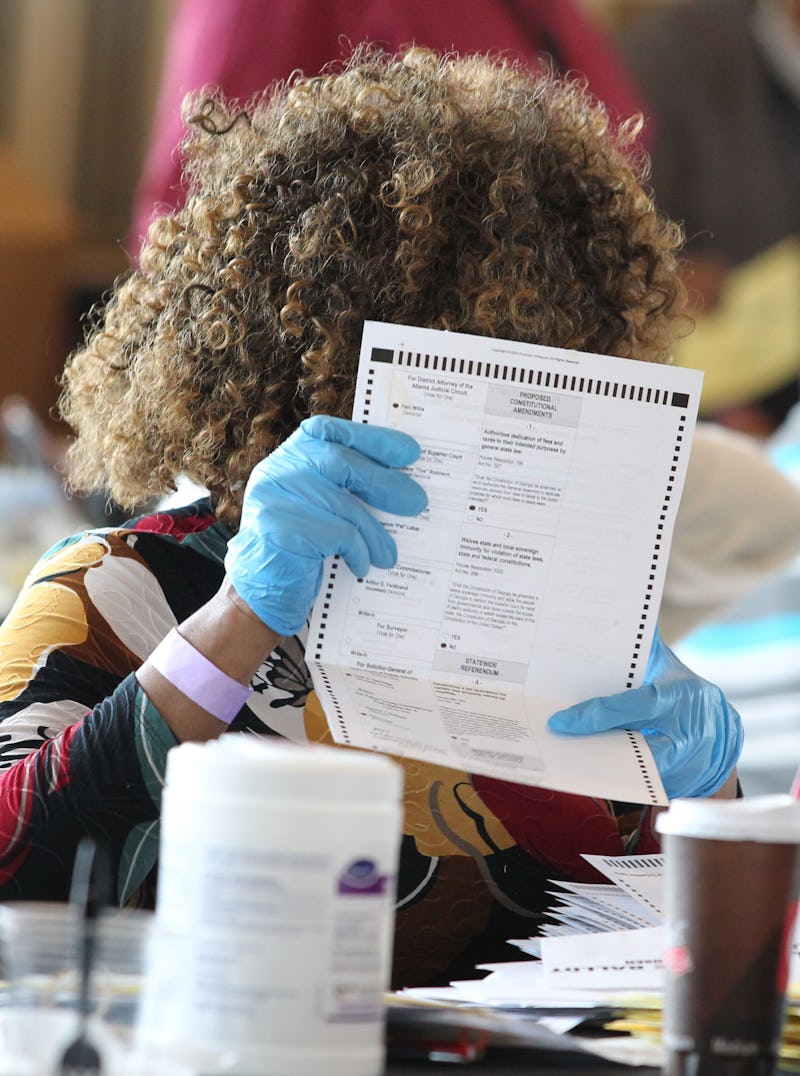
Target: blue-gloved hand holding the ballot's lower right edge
x: 695, y: 734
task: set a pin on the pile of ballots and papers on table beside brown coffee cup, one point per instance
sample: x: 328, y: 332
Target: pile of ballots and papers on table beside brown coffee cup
x: 595, y: 981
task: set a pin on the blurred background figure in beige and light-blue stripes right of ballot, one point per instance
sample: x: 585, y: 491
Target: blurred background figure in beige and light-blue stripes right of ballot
x: 732, y: 610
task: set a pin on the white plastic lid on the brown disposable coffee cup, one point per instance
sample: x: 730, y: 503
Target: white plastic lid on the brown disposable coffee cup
x: 769, y: 818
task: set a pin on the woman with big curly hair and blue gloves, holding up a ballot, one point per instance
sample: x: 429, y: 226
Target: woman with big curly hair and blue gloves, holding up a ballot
x: 452, y: 193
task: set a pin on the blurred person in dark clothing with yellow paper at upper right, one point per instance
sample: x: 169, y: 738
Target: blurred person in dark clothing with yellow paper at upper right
x: 722, y: 86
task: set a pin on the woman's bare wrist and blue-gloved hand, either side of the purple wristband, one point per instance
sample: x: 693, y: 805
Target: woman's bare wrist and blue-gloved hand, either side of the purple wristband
x: 304, y: 503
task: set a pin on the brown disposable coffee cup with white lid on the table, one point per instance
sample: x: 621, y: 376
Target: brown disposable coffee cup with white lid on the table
x: 732, y: 879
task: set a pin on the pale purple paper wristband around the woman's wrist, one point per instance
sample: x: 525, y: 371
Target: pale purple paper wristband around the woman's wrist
x: 199, y: 678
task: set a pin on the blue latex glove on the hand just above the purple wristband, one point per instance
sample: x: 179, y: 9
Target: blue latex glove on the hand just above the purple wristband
x: 305, y: 502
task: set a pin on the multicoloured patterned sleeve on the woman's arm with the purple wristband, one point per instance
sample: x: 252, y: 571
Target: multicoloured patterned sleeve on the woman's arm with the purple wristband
x: 83, y: 752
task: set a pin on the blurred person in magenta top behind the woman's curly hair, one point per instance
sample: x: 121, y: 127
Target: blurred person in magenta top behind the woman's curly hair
x: 244, y: 46
